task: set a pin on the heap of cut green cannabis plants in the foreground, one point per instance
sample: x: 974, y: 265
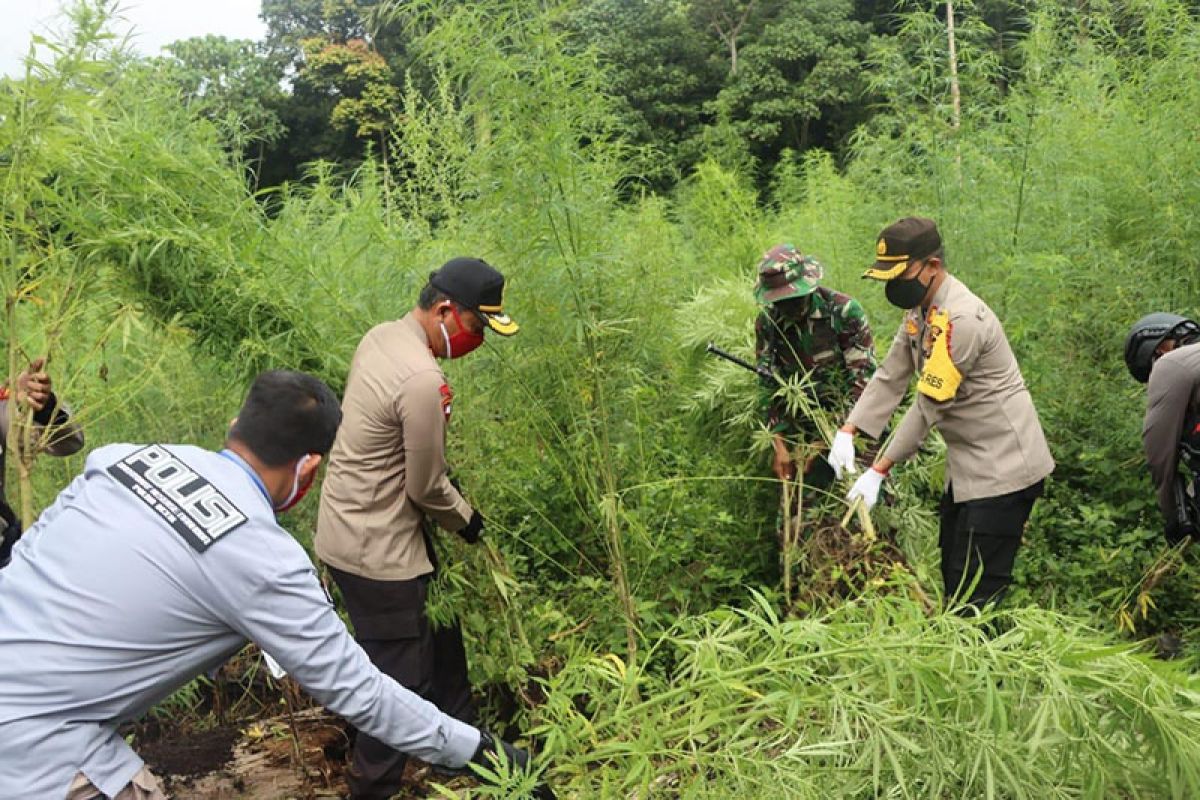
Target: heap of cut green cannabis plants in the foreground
x: 877, y: 700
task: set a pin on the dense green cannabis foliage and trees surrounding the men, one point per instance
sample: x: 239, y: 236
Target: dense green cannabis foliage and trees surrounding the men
x: 631, y: 566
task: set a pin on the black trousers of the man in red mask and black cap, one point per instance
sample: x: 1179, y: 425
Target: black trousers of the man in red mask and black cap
x: 391, y: 624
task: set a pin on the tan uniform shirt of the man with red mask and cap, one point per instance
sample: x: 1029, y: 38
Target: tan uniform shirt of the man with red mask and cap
x: 388, y: 471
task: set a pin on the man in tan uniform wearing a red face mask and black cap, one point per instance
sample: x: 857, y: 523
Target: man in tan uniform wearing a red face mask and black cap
x: 387, y: 478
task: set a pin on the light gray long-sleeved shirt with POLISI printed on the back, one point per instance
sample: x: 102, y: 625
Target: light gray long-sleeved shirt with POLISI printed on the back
x: 158, y: 564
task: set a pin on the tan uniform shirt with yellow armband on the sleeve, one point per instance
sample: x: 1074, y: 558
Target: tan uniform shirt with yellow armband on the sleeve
x: 969, y: 387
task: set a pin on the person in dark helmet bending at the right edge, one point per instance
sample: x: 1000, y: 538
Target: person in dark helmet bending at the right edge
x: 1163, y: 351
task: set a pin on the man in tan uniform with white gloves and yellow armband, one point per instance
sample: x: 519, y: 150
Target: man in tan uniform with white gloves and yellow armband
x: 970, y: 388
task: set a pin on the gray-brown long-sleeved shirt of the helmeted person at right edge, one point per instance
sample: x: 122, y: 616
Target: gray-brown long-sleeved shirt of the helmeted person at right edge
x: 1173, y: 396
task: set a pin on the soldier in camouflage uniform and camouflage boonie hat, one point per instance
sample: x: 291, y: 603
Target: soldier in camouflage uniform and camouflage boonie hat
x: 808, y: 328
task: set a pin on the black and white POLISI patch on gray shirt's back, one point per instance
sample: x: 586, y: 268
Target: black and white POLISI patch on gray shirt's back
x: 181, y: 496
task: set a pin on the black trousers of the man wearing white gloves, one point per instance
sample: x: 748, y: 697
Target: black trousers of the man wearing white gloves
x: 980, y: 540
